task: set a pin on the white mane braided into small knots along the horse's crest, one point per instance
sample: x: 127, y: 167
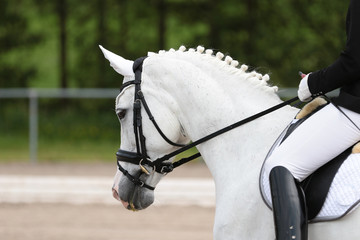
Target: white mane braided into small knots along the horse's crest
x: 226, y: 65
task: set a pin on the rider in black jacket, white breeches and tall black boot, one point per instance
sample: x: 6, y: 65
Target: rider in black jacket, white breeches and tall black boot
x: 320, y: 138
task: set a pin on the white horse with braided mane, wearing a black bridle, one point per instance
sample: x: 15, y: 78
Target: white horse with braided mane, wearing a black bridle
x: 192, y: 94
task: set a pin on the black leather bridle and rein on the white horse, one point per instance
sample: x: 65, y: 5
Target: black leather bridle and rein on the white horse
x: 161, y: 165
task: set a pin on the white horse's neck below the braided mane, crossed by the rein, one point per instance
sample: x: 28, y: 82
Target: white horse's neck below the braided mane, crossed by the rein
x: 208, y: 102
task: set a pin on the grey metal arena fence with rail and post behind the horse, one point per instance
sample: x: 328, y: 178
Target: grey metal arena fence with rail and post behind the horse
x: 33, y: 94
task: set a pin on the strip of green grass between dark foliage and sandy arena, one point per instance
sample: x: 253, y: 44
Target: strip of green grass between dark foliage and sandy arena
x: 15, y: 148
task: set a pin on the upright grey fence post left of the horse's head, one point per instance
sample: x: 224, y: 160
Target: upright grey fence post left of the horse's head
x: 33, y: 125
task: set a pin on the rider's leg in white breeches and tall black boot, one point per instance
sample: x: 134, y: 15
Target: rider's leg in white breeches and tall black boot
x: 319, y: 139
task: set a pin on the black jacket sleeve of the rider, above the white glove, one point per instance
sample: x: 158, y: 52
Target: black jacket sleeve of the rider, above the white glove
x: 346, y: 69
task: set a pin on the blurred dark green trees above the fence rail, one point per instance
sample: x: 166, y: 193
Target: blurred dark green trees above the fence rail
x: 278, y: 36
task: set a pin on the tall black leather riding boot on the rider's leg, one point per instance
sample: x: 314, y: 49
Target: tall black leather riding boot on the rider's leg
x: 289, y: 207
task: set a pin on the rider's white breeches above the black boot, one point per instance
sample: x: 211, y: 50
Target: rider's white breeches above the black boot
x: 316, y: 141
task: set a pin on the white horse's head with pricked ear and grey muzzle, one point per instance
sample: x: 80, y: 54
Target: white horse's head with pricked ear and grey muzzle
x: 135, y: 181
